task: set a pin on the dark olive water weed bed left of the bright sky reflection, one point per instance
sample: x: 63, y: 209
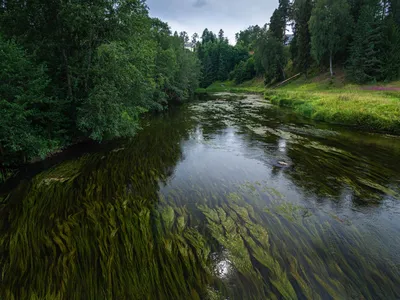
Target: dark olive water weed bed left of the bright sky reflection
x: 88, y: 229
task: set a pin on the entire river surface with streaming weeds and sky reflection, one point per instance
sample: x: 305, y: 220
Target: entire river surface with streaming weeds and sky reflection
x: 219, y: 199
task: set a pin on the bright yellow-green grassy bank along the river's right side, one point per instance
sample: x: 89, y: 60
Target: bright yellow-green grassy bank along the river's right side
x: 337, y: 102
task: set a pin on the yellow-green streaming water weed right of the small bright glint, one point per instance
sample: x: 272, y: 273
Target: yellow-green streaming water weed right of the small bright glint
x: 296, y: 257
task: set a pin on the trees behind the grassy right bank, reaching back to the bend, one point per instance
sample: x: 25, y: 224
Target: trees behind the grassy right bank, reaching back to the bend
x: 361, y: 35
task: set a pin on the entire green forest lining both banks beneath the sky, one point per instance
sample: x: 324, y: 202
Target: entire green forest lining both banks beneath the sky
x: 73, y: 70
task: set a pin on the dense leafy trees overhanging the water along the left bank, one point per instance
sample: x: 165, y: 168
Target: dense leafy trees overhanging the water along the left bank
x: 72, y: 70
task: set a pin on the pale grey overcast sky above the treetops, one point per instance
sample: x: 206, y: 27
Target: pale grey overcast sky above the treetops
x: 195, y: 15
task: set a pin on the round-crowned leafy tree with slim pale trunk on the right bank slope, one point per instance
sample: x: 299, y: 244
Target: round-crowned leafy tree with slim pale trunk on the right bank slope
x: 330, y: 26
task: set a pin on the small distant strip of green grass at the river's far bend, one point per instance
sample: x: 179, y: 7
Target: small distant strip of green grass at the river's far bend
x: 253, y: 86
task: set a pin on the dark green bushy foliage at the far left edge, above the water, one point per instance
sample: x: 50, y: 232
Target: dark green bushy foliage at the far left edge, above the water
x: 27, y: 129
